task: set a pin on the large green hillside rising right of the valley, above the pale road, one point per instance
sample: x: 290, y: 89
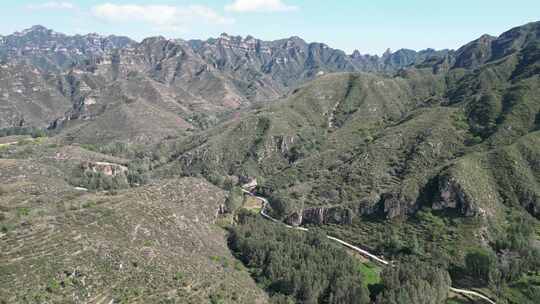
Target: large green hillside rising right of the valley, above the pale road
x: 447, y: 147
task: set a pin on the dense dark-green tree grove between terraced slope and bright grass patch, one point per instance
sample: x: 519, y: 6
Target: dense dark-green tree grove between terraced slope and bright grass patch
x: 297, y: 267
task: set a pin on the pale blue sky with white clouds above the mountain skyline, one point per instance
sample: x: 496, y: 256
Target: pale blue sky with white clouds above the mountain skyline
x: 369, y: 26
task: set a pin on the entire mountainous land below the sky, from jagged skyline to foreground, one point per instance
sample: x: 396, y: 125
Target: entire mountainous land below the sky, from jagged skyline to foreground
x: 238, y: 170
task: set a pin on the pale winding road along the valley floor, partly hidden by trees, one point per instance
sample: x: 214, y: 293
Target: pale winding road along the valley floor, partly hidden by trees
x: 359, y: 250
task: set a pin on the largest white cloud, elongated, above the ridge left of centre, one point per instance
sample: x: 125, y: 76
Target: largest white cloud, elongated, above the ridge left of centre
x: 163, y: 17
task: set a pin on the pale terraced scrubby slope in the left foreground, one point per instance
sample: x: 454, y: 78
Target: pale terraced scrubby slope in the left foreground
x: 146, y: 245
